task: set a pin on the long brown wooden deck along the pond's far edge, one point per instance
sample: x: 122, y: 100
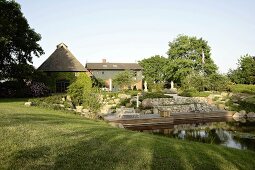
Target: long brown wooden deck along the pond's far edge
x: 152, y: 122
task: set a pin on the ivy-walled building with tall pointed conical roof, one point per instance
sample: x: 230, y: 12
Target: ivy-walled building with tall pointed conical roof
x: 61, y: 68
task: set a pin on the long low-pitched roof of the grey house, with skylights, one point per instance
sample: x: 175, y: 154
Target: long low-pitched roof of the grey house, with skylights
x: 113, y: 66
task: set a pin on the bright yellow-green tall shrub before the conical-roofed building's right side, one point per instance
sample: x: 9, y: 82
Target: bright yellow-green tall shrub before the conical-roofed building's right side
x: 80, y: 88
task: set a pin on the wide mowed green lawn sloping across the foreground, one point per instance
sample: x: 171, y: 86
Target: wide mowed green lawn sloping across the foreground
x: 37, y: 138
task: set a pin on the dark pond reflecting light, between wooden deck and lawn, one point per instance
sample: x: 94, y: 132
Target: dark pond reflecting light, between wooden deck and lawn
x: 234, y: 134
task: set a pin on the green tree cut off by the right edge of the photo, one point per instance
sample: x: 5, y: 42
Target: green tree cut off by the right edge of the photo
x: 245, y: 72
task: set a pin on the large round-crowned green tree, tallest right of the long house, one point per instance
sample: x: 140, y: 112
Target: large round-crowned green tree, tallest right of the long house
x: 191, y: 53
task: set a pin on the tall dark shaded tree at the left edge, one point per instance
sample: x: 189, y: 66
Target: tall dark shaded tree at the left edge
x: 18, y: 42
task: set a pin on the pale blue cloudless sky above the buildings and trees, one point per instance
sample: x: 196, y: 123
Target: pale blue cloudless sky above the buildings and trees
x: 130, y: 30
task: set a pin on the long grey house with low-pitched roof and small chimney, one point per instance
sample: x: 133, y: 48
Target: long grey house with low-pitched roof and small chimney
x: 107, y: 71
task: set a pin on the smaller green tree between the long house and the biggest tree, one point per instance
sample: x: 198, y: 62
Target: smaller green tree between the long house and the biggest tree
x: 152, y: 68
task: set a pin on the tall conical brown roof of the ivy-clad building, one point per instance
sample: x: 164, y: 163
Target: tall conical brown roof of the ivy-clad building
x: 62, y: 60
